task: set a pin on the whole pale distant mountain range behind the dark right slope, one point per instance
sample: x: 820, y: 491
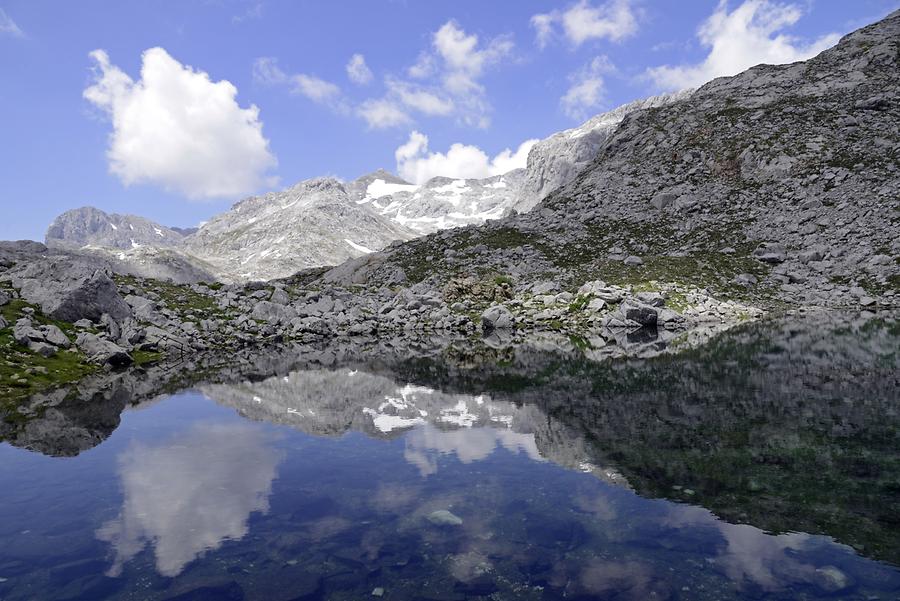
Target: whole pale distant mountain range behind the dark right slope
x: 322, y: 221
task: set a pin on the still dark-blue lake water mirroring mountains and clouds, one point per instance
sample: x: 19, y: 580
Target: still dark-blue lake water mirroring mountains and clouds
x: 762, y: 467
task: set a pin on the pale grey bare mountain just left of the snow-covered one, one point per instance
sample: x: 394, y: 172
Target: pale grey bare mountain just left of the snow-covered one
x: 311, y: 224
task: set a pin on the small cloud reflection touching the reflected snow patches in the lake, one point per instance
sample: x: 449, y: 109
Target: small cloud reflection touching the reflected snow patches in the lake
x: 469, y: 444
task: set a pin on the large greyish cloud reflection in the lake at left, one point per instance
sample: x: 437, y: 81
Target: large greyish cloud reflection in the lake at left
x: 190, y: 494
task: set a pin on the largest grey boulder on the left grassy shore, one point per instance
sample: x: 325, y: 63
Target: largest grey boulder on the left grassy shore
x: 69, y: 288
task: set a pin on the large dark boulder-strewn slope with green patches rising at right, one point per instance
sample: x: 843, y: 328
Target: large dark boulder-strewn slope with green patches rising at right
x: 775, y: 187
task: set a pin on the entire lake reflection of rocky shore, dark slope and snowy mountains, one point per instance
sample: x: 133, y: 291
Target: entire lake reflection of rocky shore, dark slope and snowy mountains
x: 756, y: 425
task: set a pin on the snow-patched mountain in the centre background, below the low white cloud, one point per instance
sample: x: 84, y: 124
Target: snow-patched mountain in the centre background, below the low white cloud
x: 444, y: 202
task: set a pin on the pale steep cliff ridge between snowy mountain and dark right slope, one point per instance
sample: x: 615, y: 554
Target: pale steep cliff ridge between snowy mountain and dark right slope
x: 555, y: 161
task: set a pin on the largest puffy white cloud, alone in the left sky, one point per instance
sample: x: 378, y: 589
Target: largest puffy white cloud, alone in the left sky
x: 178, y: 129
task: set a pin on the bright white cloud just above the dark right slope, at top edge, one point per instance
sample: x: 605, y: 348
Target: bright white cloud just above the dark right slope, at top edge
x: 747, y: 36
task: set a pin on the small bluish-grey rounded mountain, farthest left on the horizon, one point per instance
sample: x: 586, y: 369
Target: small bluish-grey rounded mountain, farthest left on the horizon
x: 89, y: 226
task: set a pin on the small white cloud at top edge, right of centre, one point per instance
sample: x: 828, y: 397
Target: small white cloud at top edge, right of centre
x: 581, y: 22
